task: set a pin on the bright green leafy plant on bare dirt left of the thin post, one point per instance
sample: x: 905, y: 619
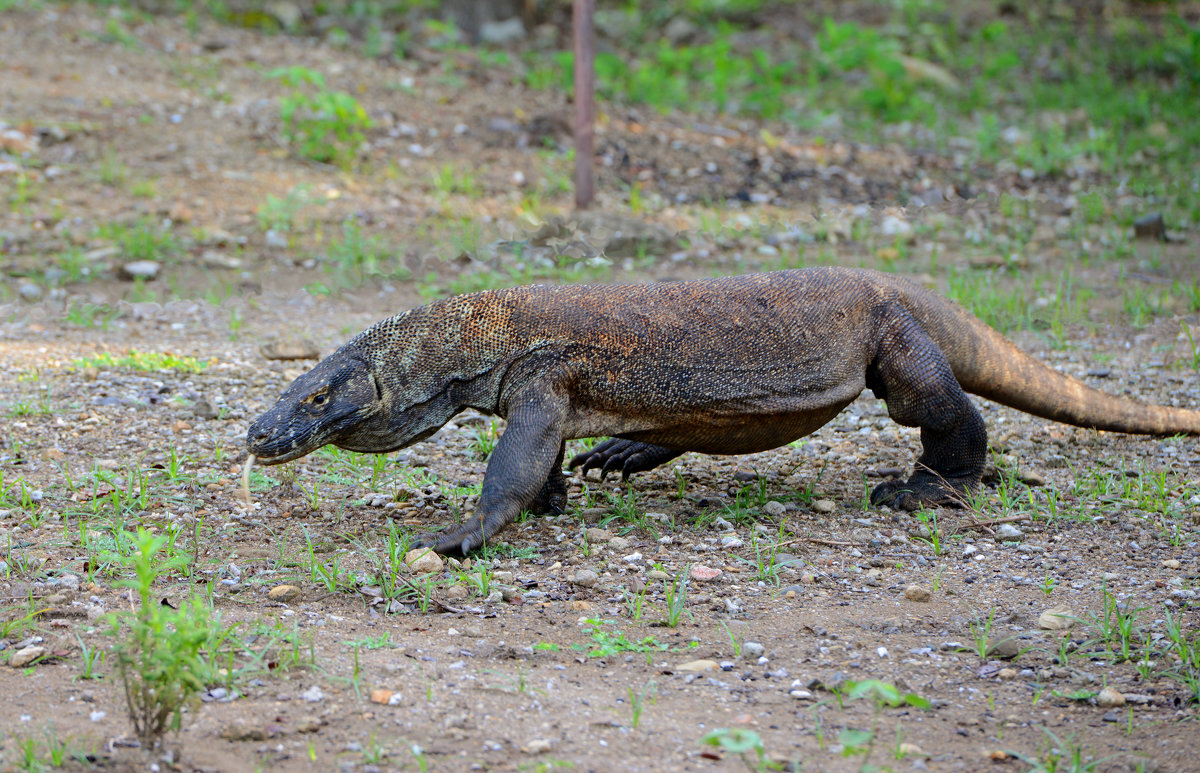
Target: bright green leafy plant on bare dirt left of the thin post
x: 323, y: 125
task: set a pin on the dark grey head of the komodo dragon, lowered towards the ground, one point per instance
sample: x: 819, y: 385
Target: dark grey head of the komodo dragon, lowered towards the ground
x: 340, y: 402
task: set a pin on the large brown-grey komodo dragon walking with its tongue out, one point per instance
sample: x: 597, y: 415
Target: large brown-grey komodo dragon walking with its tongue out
x: 731, y: 365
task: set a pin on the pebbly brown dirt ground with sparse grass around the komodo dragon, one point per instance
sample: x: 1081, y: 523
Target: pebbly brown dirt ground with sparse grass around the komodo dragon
x: 567, y: 661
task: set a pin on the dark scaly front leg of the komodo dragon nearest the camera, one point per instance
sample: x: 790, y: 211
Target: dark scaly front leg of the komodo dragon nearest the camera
x: 521, y: 466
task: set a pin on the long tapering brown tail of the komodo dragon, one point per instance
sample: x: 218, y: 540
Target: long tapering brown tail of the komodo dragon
x: 989, y: 365
